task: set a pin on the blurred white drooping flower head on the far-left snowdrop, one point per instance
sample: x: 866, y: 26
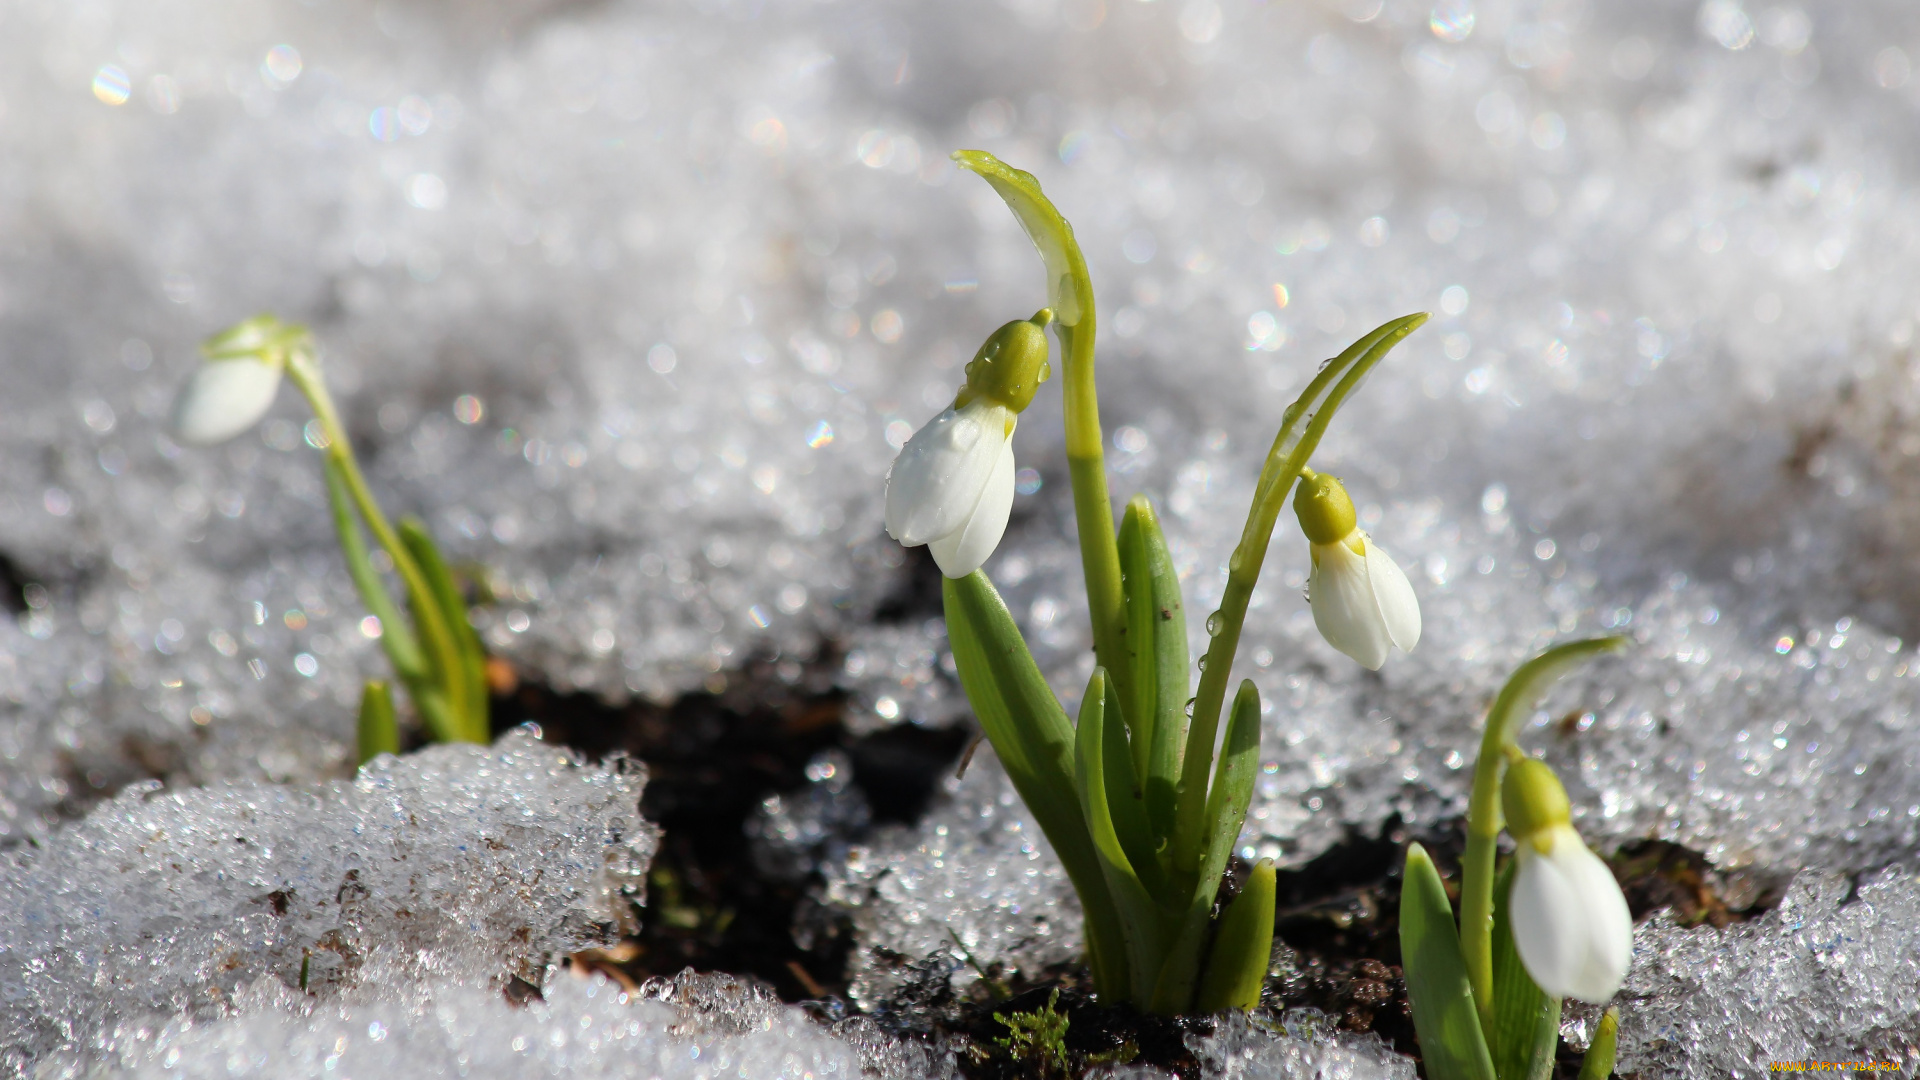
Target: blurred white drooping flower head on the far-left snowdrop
x: 237, y: 381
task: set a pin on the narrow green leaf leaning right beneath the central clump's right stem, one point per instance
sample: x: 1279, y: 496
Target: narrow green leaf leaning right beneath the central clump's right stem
x: 1226, y: 814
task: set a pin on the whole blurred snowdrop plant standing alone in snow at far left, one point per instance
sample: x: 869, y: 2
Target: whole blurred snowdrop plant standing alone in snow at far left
x: 437, y: 654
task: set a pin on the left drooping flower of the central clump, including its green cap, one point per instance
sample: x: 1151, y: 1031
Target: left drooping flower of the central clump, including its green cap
x: 953, y: 483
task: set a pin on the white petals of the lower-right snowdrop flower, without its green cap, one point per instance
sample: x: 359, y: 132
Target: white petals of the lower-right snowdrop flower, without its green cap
x: 1570, y: 921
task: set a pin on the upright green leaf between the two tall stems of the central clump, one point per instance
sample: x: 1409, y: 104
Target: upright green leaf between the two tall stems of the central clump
x: 1157, y: 635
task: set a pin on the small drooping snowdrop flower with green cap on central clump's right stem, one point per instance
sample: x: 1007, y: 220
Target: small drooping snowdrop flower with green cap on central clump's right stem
x: 1362, y: 601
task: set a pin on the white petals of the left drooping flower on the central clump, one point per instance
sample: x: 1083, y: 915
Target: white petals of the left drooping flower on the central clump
x: 940, y: 476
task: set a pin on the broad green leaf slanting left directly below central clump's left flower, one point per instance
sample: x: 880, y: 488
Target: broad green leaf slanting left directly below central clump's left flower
x: 1034, y: 741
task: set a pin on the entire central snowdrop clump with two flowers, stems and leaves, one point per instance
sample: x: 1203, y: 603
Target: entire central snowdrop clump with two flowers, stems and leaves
x: 1134, y: 798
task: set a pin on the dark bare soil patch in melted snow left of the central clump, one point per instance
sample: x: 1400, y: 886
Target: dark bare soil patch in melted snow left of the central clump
x: 713, y: 758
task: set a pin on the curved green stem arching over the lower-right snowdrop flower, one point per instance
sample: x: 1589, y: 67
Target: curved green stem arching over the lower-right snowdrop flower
x: 1516, y: 700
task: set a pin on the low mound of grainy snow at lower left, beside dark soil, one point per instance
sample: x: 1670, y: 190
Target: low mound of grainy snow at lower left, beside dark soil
x: 448, y: 868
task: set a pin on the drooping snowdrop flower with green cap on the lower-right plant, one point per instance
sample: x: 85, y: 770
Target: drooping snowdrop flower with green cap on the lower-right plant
x: 1570, y: 920
